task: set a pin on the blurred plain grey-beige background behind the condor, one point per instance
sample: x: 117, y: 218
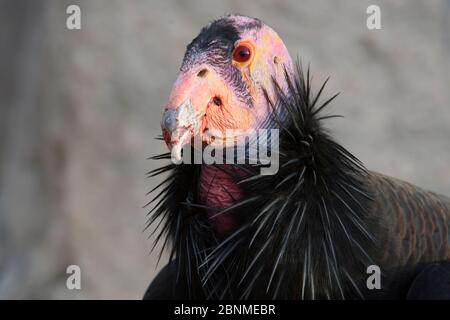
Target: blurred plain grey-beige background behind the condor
x: 79, y: 110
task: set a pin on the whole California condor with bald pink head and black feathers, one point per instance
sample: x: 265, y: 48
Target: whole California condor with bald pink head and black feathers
x: 309, y: 231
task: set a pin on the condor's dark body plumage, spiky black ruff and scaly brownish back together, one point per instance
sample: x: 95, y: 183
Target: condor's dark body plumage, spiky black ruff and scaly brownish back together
x: 308, y: 232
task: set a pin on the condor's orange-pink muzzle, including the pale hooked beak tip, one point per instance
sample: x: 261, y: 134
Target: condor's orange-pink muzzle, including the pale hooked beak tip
x: 200, y: 101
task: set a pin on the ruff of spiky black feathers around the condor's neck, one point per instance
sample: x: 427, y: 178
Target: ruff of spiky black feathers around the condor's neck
x: 304, y: 232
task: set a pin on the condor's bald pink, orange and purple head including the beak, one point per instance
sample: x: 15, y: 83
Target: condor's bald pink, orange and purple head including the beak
x: 214, y: 93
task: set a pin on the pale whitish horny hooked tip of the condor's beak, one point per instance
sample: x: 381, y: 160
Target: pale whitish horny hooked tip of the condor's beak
x: 179, y: 126
